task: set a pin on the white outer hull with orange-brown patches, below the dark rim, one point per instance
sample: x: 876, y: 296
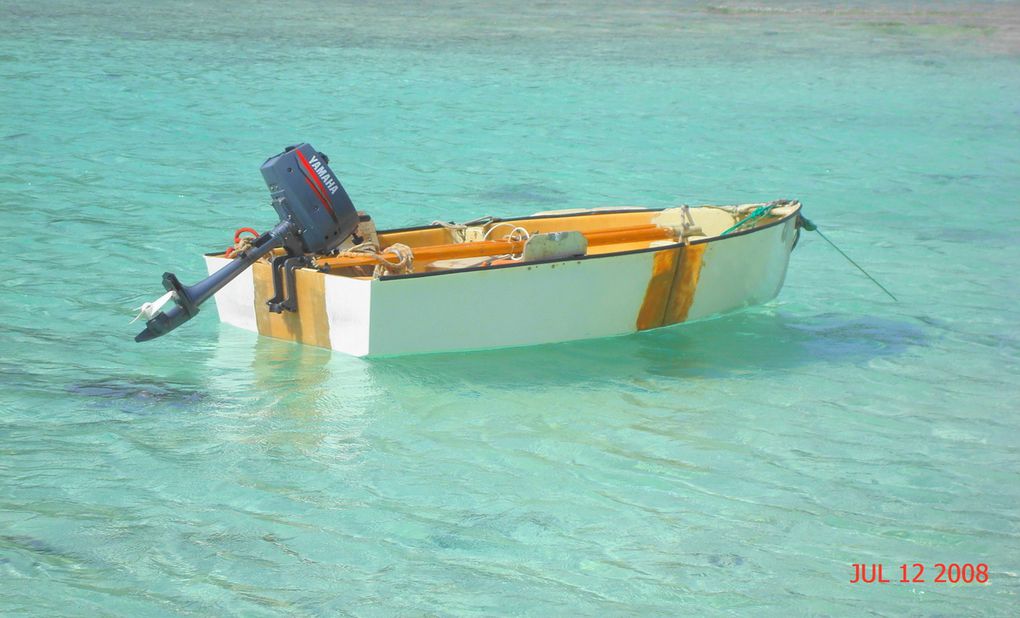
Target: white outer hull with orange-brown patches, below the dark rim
x: 522, y: 304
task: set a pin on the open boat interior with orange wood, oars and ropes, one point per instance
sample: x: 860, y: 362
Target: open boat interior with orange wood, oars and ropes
x: 544, y: 236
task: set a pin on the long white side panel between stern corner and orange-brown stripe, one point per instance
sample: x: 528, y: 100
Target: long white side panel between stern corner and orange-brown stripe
x: 504, y: 307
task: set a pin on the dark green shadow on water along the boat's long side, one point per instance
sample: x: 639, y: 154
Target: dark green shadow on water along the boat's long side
x: 757, y: 341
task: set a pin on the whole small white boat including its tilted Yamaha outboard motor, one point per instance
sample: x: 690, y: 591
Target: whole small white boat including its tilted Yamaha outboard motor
x: 490, y: 283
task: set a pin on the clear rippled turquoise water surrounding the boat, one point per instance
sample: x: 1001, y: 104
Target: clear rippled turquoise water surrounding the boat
x: 736, y: 467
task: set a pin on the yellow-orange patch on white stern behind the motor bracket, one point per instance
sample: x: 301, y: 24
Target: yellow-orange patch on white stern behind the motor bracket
x: 310, y: 325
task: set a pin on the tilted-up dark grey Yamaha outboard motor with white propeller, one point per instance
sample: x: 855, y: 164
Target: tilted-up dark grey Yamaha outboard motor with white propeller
x: 316, y: 217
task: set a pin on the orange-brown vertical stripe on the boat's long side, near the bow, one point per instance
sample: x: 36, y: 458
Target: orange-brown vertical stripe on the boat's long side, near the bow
x: 672, y: 288
